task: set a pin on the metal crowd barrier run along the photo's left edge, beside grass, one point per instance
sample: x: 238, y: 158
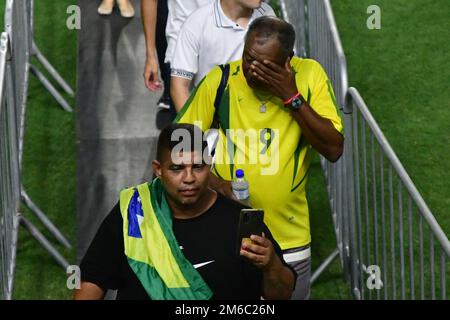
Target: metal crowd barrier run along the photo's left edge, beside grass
x: 17, y: 46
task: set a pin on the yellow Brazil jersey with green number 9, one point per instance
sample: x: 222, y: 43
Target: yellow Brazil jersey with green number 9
x: 266, y: 142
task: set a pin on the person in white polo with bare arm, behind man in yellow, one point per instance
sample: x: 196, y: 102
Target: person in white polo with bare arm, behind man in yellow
x: 212, y: 35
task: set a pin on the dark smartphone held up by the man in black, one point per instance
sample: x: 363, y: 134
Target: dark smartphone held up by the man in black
x: 251, y: 221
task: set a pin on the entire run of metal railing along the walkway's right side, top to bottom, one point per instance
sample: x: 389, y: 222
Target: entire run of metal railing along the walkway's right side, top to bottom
x: 366, y: 200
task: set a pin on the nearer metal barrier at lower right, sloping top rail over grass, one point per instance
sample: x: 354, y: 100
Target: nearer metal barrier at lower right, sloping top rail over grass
x: 391, y: 227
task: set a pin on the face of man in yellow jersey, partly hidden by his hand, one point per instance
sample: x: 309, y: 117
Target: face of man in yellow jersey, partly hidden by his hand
x: 259, y: 49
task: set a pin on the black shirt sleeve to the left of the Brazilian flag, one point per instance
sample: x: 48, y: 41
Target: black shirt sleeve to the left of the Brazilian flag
x: 102, y: 261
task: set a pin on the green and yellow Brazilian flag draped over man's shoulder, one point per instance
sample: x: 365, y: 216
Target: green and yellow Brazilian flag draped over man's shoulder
x: 152, y: 251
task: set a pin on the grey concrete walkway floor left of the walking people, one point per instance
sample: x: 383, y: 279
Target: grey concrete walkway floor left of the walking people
x: 117, y: 118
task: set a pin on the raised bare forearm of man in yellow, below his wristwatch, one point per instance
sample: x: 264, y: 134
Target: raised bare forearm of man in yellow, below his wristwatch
x: 319, y: 132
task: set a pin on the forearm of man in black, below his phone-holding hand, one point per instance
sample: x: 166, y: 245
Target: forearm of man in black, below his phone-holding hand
x: 278, y: 282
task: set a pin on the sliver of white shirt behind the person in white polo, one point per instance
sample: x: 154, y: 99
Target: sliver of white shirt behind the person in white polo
x: 179, y: 10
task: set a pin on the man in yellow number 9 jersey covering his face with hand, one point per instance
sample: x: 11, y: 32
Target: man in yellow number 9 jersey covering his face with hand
x: 274, y: 108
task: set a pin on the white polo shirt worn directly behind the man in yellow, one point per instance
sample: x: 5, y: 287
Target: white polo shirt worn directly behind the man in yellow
x: 209, y: 38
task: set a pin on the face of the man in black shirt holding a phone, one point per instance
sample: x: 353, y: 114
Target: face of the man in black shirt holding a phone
x: 184, y: 176
